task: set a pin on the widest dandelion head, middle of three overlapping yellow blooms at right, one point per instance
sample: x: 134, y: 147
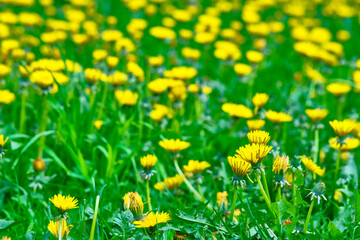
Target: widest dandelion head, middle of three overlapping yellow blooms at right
x: 253, y: 153
